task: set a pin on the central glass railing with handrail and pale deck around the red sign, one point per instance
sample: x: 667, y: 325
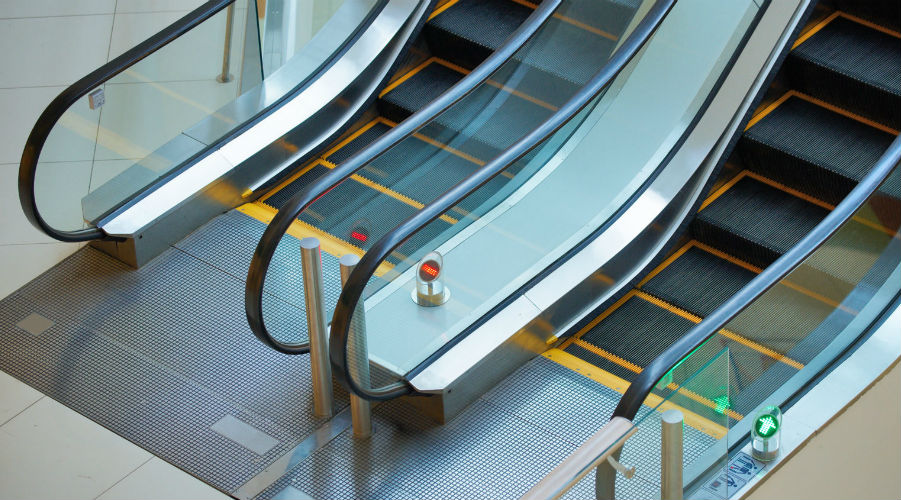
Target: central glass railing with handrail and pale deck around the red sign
x: 534, y: 202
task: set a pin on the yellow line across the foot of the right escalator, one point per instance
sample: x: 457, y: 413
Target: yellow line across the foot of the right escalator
x: 619, y: 385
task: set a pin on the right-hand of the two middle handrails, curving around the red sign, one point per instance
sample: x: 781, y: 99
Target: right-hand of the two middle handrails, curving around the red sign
x: 365, y: 269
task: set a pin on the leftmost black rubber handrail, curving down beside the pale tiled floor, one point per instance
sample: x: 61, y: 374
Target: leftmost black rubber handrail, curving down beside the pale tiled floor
x: 55, y: 110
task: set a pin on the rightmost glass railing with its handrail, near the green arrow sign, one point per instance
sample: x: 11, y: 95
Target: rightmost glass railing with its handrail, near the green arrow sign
x: 808, y: 308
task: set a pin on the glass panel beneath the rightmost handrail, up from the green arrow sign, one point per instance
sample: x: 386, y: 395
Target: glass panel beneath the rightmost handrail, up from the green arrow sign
x: 821, y: 308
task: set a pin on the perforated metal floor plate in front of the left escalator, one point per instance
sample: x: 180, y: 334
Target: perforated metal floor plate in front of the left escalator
x: 161, y: 354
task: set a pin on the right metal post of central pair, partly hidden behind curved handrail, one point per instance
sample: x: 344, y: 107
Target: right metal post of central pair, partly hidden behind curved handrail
x: 360, y: 409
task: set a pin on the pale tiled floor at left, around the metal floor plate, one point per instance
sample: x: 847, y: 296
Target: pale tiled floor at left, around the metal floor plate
x: 46, y: 449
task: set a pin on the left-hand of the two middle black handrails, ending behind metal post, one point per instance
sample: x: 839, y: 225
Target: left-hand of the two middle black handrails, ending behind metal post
x: 288, y: 213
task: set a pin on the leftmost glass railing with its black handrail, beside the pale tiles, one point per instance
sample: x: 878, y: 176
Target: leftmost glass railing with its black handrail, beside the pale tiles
x: 149, y: 112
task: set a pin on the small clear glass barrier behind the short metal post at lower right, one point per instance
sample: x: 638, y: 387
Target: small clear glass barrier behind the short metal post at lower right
x: 700, y: 391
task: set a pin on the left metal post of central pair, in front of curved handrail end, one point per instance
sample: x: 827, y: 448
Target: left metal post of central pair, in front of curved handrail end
x: 311, y: 264
